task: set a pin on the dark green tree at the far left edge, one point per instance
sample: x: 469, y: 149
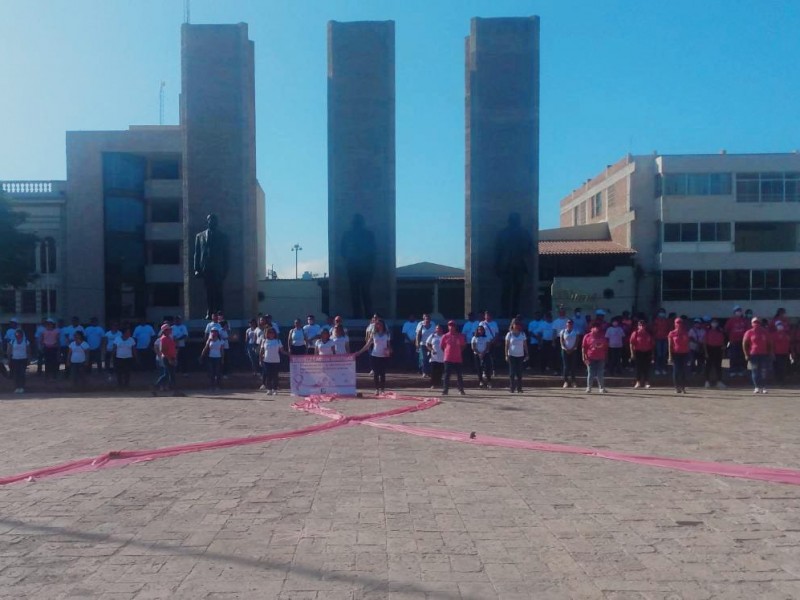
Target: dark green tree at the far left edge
x: 17, y: 262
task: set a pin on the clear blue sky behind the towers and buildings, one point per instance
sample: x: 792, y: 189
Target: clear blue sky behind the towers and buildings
x: 617, y: 76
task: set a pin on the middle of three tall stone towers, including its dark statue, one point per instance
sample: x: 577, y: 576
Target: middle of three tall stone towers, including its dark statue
x: 361, y: 168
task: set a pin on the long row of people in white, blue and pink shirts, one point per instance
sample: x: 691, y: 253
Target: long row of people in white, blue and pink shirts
x: 572, y: 346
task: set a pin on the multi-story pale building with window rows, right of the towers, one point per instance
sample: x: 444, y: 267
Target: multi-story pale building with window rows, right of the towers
x: 710, y: 231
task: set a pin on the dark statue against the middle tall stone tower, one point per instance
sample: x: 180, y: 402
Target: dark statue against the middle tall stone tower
x: 358, y: 251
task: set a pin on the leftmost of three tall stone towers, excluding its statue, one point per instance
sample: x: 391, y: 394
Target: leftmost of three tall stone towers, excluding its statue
x: 219, y: 159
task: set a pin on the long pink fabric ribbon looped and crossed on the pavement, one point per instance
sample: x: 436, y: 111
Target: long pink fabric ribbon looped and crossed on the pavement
x: 316, y: 405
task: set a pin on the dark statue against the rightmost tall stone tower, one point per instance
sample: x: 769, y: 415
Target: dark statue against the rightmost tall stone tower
x: 513, y: 250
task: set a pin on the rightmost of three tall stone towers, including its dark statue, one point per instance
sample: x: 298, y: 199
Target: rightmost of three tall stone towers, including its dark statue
x: 502, y: 165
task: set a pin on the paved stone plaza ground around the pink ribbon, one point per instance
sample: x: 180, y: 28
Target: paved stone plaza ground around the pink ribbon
x: 363, y: 514
